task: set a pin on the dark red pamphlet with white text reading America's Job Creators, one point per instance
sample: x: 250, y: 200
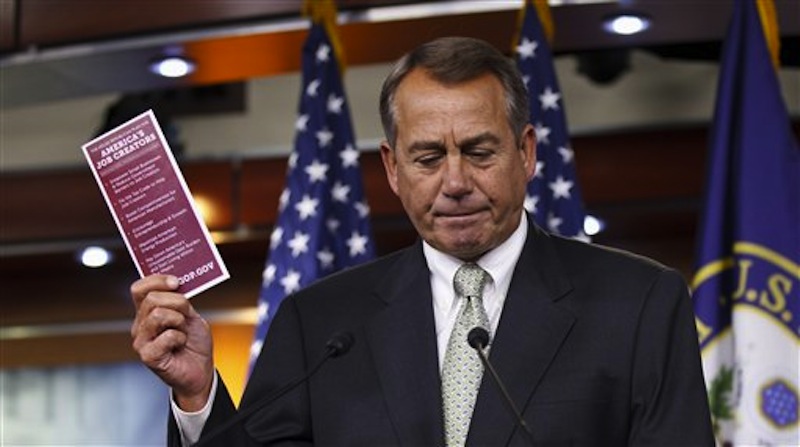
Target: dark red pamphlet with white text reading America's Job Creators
x: 152, y: 206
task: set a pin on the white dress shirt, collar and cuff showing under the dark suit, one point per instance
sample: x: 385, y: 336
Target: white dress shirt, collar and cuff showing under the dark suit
x: 499, y: 263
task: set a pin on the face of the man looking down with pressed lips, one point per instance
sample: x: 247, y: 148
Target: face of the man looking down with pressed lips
x: 456, y: 165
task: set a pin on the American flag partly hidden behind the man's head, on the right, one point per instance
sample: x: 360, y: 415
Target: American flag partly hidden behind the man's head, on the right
x: 553, y: 197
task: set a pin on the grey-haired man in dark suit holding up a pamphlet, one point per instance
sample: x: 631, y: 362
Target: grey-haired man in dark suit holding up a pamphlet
x: 597, y: 347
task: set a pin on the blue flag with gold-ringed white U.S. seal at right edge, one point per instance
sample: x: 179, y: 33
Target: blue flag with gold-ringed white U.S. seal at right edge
x: 747, y: 285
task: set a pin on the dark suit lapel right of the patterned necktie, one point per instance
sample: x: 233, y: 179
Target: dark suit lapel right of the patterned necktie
x: 531, y: 331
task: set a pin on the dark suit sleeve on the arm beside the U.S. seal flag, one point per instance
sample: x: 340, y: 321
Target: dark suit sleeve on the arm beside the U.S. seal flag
x: 669, y: 401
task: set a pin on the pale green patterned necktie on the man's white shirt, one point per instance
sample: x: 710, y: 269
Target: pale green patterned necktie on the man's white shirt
x: 462, y: 370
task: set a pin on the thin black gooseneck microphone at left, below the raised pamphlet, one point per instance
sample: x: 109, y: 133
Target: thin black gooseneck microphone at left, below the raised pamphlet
x: 336, y: 346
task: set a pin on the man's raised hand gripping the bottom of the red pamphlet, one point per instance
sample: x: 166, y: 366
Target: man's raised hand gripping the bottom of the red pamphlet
x: 173, y: 340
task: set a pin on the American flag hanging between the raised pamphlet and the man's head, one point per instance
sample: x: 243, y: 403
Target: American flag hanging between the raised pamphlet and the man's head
x: 323, y: 223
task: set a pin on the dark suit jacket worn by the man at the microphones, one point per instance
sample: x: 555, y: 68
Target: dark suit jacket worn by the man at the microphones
x: 597, y: 347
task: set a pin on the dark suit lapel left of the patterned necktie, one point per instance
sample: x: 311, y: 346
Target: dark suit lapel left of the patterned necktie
x: 405, y: 352
